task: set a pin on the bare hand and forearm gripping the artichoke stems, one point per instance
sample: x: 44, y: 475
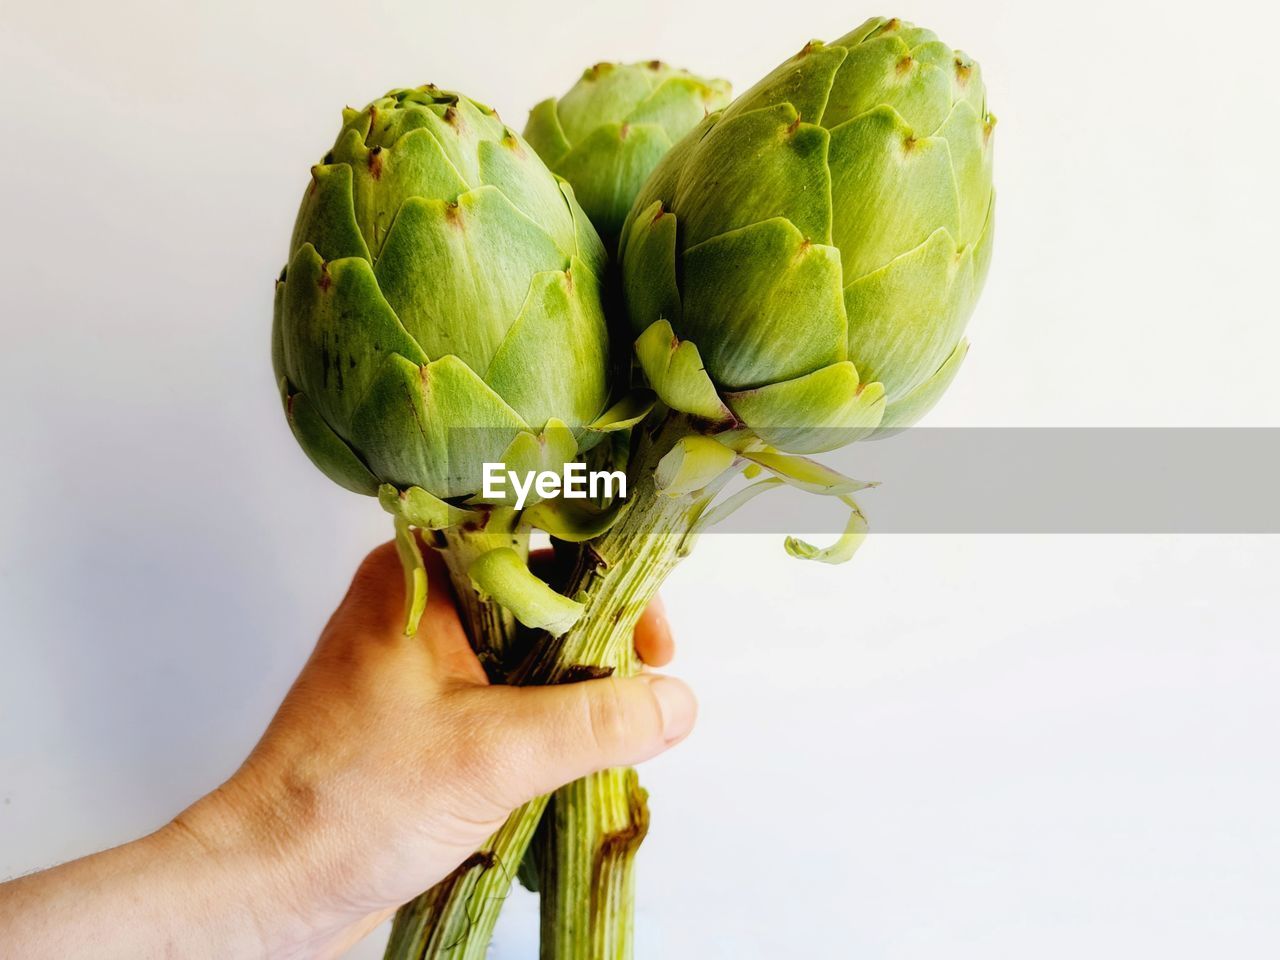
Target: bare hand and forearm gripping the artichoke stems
x: 388, y: 764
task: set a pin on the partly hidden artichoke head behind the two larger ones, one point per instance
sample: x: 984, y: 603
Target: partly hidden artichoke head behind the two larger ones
x: 612, y: 127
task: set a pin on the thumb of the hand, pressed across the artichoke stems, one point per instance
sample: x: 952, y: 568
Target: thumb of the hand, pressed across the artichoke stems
x: 554, y: 735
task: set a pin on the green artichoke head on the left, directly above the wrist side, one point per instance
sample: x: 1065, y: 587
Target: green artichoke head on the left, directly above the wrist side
x: 442, y: 300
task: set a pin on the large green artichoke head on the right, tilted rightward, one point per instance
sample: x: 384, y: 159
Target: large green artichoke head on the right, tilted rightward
x: 804, y: 263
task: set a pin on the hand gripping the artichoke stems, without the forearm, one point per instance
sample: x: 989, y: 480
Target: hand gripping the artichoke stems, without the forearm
x: 392, y: 760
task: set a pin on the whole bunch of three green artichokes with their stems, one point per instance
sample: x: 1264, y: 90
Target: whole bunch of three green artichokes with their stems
x: 794, y: 272
